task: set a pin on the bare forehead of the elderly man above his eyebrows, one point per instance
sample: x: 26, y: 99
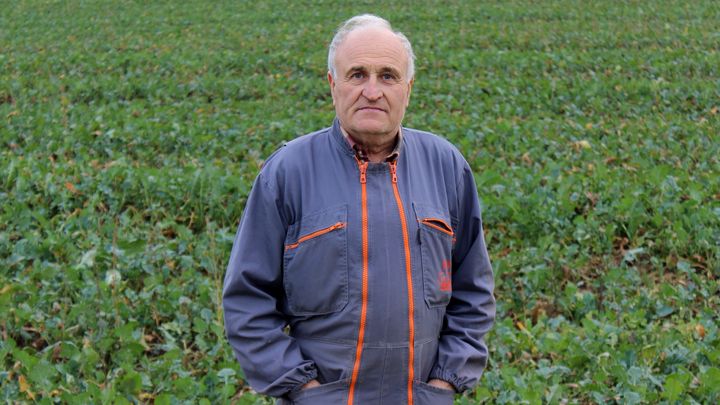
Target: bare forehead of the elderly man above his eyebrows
x: 371, y: 48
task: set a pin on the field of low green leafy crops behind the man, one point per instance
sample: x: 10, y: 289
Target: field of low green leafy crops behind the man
x: 131, y: 132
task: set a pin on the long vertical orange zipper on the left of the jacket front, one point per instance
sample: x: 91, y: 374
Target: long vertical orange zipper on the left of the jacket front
x: 363, y: 311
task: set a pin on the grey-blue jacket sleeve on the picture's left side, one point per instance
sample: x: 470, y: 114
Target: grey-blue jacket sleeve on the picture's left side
x: 271, y: 360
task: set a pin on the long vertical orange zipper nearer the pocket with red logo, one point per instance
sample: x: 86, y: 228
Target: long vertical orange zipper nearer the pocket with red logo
x: 408, y: 276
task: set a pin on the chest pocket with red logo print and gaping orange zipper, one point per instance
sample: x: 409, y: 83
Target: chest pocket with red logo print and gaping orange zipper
x: 436, y: 242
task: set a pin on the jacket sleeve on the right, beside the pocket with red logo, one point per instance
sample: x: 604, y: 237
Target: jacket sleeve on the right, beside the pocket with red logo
x: 462, y: 353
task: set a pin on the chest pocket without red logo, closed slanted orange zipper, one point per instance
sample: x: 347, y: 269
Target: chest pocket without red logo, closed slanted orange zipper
x: 315, y: 269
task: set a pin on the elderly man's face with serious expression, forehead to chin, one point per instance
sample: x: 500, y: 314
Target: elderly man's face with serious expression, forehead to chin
x: 371, y: 90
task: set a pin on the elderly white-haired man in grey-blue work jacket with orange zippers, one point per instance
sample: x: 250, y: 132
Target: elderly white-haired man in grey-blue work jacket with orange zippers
x: 359, y: 273
